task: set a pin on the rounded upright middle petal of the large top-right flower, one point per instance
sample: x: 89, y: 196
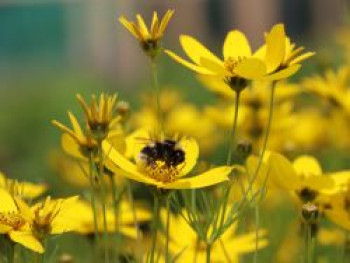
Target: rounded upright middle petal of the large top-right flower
x: 236, y: 46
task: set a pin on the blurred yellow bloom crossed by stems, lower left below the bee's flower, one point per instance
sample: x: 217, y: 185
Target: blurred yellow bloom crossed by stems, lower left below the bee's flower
x: 85, y: 222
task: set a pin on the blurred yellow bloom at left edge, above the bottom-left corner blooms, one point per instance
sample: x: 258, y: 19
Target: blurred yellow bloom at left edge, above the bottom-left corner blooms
x: 24, y: 190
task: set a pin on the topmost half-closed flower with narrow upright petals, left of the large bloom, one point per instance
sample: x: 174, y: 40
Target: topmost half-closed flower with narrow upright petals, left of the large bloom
x: 149, y: 39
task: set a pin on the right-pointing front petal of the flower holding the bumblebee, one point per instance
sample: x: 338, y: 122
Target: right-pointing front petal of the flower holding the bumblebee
x: 209, y: 178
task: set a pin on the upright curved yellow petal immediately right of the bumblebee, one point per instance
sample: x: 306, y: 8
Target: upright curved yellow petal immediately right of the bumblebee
x: 191, y: 149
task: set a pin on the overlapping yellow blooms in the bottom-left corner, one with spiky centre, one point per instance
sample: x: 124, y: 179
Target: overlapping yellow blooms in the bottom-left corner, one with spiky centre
x: 29, y: 226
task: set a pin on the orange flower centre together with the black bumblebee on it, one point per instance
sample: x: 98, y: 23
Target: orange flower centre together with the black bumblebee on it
x: 162, y: 160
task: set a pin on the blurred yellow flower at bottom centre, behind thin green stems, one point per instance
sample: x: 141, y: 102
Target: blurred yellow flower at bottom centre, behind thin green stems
x: 184, y: 242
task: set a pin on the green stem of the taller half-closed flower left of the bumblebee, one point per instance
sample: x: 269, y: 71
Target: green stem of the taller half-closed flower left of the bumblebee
x: 104, y: 200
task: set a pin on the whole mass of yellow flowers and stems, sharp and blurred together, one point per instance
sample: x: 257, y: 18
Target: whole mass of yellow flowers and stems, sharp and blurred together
x: 113, y: 155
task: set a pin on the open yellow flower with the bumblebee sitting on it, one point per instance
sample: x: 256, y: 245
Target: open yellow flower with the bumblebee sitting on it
x: 164, y: 163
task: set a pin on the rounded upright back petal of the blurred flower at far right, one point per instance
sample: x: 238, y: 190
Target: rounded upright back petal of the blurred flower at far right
x: 307, y: 166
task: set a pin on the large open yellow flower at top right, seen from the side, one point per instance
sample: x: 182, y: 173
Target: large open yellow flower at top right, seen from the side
x: 239, y: 63
